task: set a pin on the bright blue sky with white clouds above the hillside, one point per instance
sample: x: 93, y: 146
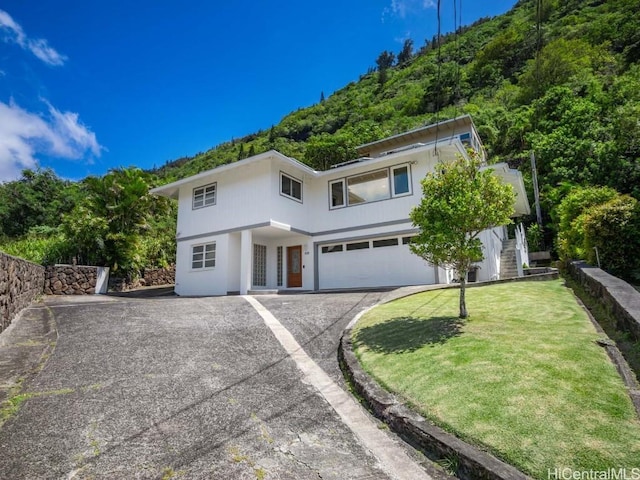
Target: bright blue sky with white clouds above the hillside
x: 89, y: 86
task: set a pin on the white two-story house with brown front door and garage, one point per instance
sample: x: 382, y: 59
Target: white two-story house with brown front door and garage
x: 271, y: 222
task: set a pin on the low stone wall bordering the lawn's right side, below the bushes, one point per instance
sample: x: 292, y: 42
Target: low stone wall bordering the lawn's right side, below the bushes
x: 616, y: 295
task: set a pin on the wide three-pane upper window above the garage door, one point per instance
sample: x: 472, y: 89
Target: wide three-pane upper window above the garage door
x: 370, y: 186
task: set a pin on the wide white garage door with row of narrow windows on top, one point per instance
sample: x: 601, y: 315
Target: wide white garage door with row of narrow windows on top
x: 379, y: 262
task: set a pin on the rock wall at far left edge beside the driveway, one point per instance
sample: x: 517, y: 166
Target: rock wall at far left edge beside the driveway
x: 20, y: 283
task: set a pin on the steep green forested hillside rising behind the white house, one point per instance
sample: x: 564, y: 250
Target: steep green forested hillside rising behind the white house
x: 560, y: 78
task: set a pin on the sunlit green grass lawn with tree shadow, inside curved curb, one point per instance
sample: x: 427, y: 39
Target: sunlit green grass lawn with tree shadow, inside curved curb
x: 522, y: 378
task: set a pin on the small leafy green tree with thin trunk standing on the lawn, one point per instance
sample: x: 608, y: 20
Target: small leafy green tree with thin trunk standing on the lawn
x: 458, y: 202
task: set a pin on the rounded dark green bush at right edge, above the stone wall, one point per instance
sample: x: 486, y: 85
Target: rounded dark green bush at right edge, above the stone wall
x: 614, y: 229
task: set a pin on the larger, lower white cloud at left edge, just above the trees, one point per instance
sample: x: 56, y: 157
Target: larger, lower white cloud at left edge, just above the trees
x: 24, y: 134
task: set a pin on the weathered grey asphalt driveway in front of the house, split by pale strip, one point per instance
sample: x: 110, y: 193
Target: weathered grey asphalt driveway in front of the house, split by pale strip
x: 187, y: 388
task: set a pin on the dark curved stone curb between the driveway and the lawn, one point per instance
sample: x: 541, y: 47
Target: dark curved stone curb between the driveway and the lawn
x: 437, y: 444
